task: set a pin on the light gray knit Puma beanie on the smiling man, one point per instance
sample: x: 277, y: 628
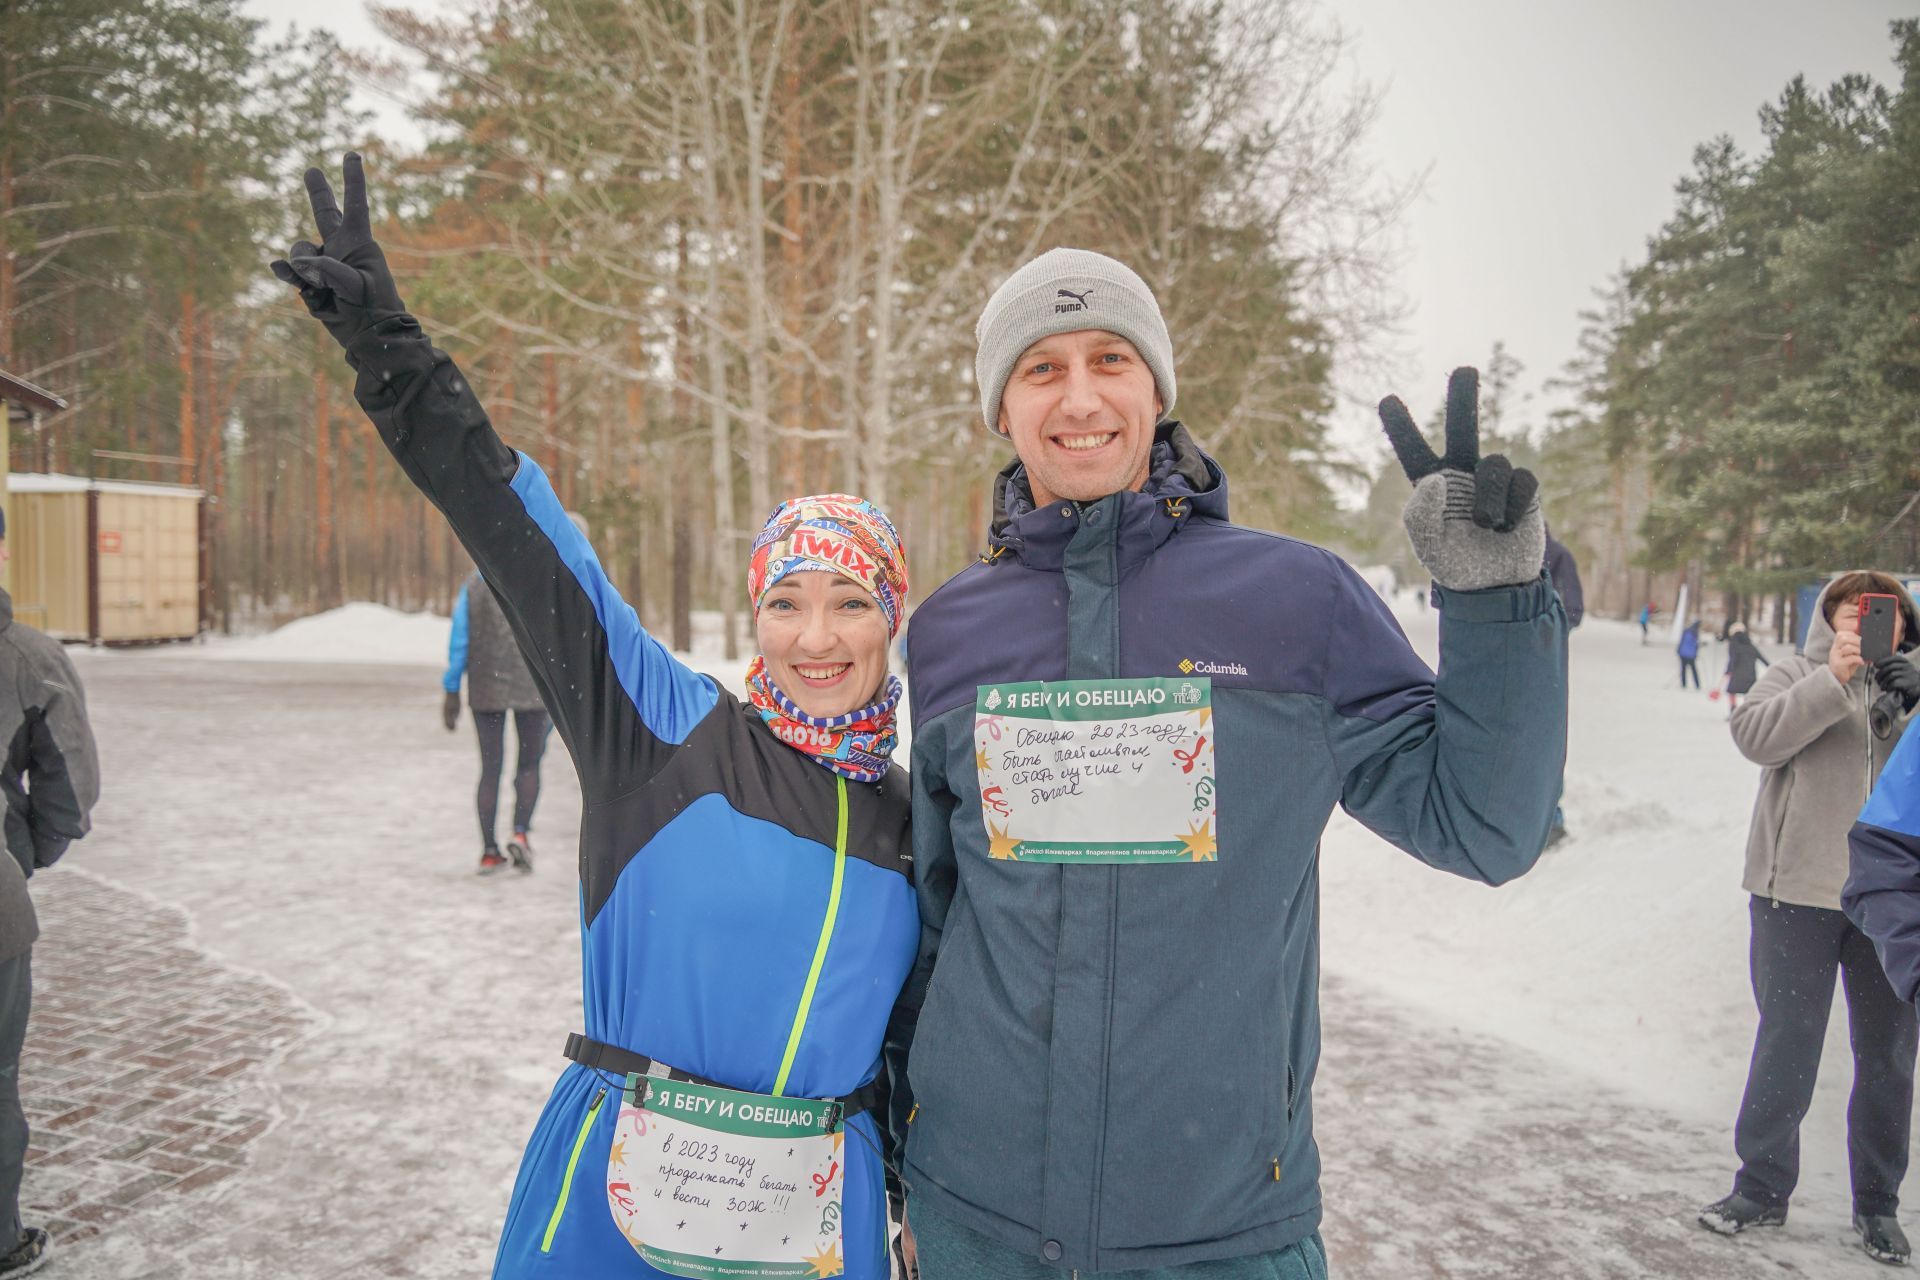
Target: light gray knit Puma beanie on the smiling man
x: 1059, y: 293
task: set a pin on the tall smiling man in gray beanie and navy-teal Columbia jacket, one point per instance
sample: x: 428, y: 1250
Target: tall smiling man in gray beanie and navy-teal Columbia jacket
x: 1118, y: 1018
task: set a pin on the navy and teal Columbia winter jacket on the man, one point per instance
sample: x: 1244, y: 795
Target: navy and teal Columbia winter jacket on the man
x: 1115, y: 1064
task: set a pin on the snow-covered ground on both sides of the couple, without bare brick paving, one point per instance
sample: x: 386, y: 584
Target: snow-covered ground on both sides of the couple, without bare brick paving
x: 1535, y: 1081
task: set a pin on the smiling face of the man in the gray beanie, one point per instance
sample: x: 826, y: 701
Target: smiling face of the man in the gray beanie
x: 1082, y: 410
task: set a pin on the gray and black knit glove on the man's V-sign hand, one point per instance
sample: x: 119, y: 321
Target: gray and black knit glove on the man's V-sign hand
x: 1476, y: 523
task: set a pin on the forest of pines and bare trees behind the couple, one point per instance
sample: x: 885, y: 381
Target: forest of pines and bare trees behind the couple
x: 702, y: 254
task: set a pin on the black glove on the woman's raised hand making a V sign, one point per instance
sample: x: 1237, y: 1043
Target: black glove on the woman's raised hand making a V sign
x: 345, y: 279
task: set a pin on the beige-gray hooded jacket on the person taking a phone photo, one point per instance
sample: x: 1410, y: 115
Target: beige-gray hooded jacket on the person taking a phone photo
x: 1819, y: 765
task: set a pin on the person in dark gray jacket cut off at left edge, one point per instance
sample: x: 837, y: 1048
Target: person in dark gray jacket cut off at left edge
x: 51, y: 780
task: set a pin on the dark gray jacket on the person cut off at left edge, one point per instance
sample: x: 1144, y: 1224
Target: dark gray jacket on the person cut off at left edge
x: 51, y: 776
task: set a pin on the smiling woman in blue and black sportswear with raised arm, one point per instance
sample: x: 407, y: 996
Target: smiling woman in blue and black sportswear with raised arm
x: 746, y: 911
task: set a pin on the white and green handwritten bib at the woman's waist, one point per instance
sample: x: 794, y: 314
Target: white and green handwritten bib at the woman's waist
x: 717, y: 1183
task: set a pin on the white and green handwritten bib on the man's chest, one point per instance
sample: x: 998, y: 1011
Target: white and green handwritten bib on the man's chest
x: 1097, y: 770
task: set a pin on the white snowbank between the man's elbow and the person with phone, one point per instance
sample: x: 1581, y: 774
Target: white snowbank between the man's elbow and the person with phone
x: 1625, y: 953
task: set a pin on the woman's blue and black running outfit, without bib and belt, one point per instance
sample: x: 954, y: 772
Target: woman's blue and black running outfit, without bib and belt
x: 708, y: 847
